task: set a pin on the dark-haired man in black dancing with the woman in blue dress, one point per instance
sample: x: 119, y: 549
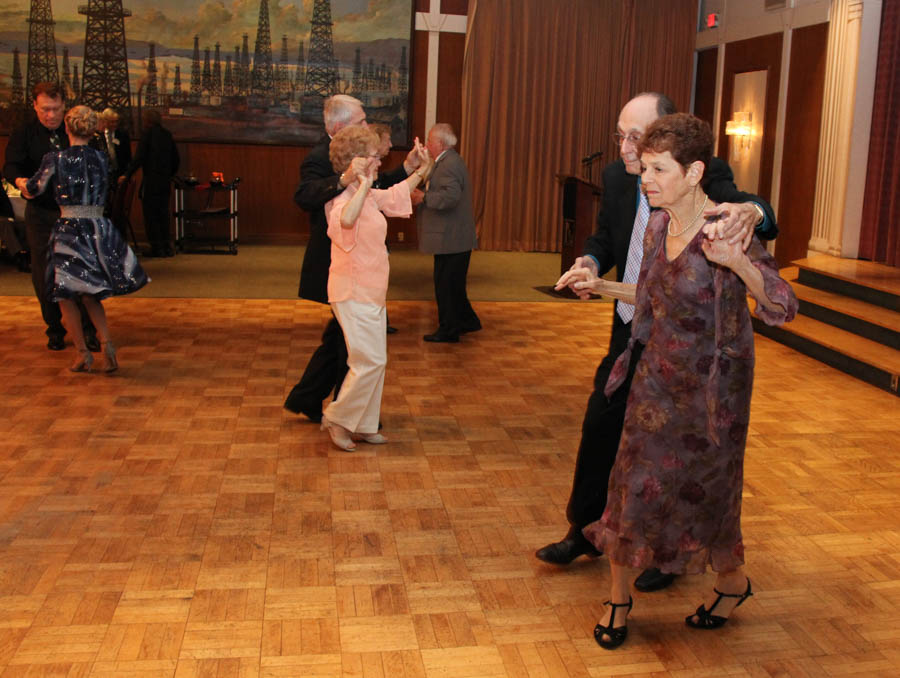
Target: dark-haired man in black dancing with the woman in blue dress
x: 24, y: 152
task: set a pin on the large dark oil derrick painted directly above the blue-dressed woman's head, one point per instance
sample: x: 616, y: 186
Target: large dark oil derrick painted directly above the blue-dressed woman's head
x: 104, y: 78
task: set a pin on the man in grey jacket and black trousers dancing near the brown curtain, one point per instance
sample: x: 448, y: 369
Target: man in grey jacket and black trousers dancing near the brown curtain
x: 446, y: 226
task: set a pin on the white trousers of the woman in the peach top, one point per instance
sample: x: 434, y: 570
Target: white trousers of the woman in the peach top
x: 358, y: 406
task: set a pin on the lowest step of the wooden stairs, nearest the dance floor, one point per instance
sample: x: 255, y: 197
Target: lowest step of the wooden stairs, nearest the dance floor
x: 868, y: 360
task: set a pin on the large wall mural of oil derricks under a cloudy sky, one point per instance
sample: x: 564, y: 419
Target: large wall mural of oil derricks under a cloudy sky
x: 221, y: 71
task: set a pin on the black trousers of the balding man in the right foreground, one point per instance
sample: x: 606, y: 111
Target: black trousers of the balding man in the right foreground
x: 600, y: 434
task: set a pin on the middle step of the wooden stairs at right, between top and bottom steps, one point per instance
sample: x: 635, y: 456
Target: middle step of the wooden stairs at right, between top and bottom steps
x: 859, y: 317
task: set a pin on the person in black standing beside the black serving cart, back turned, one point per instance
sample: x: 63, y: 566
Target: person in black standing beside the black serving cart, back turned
x: 158, y: 156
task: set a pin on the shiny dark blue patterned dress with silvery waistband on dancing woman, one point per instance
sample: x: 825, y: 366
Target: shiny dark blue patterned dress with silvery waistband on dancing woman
x: 87, y: 255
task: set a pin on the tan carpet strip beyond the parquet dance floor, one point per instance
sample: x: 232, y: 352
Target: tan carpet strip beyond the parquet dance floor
x: 273, y: 272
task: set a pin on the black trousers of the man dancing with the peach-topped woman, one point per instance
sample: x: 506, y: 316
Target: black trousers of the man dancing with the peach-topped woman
x: 324, y: 372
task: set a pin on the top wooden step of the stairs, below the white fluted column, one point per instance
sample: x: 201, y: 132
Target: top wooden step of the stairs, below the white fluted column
x: 873, y: 283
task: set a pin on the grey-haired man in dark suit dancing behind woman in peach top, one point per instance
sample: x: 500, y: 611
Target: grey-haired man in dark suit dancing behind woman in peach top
x: 318, y: 184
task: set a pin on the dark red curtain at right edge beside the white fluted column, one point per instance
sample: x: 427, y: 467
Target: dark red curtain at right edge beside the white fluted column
x: 880, y: 236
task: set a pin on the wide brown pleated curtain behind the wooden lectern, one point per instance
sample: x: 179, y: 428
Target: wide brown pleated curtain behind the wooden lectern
x: 543, y: 83
